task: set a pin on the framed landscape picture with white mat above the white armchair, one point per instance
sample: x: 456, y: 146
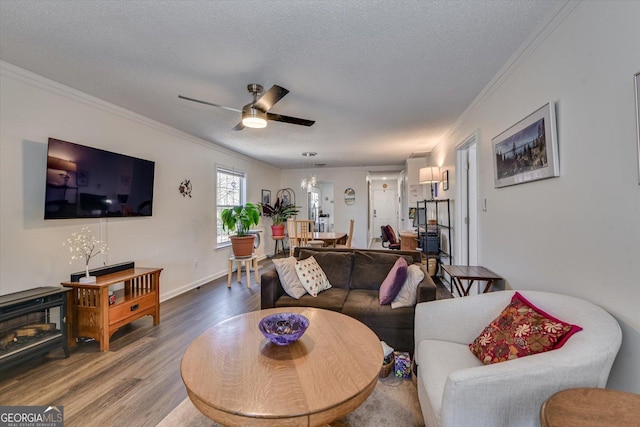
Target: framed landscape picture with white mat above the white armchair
x: 528, y: 150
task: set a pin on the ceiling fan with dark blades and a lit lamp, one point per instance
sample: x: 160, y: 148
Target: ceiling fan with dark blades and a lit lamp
x: 256, y: 113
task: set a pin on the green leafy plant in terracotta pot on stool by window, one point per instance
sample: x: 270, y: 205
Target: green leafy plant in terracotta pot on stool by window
x: 240, y: 219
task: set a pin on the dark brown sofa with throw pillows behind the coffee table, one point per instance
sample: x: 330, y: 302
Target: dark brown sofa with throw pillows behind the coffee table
x: 356, y: 276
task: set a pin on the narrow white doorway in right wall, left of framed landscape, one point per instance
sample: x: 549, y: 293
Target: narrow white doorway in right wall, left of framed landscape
x: 467, y: 212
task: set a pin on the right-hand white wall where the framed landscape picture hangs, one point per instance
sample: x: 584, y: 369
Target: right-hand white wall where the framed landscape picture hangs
x: 578, y: 234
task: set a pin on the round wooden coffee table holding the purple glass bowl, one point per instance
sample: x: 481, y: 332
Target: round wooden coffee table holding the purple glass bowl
x: 235, y: 376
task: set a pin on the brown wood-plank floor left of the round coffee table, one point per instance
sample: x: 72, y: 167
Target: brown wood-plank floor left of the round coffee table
x: 137, y: 382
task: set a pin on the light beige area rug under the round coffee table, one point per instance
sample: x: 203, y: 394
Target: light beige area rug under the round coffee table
x: 394, y: 402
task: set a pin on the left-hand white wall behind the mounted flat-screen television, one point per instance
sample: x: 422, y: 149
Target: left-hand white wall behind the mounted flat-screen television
x: 181, y: 230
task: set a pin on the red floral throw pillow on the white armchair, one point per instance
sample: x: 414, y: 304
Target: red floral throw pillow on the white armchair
x: 521, y: 329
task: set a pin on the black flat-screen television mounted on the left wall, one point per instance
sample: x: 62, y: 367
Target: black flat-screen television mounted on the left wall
x: 86, y: 182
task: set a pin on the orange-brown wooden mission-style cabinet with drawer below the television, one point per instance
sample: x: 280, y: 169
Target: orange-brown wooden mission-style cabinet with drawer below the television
x: 91, y: 315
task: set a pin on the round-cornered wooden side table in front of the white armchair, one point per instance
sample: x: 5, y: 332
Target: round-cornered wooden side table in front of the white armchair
x: 591, y: 407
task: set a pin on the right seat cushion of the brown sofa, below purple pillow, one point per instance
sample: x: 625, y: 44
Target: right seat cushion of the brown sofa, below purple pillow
x: 364, y: 305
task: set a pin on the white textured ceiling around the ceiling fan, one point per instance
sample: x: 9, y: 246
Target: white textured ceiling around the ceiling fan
x: 382, y: 79
